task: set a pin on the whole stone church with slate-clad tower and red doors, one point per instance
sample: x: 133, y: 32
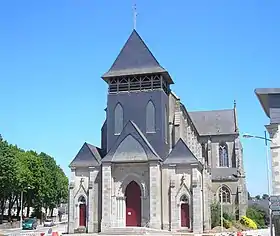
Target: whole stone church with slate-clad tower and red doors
x: 159, y: 166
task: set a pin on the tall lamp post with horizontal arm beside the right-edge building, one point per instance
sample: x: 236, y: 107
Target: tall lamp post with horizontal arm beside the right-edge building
x: 268, y: 172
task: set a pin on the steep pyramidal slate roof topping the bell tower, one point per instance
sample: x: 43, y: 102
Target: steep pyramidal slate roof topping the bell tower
x: 135, y: 58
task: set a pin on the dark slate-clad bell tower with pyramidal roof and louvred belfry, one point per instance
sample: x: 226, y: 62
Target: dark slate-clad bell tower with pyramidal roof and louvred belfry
x: 138, y: 89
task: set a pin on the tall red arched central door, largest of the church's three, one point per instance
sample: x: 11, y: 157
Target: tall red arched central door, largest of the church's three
x: 133, y: 204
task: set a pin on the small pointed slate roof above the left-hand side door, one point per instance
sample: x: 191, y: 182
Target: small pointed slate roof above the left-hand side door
x: 88, y: 155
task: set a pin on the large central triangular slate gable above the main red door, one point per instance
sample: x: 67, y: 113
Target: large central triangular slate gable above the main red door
x: 131, y: 146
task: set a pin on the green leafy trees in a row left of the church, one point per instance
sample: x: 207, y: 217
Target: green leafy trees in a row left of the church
x: 41, y: 180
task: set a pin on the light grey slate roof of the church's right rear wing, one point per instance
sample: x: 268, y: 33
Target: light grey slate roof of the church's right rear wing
x: 215, y: 122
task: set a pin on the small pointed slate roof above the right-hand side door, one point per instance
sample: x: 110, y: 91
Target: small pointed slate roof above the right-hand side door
x: 181, y: 154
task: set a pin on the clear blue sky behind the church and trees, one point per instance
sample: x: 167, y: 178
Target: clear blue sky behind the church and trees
x: 54, y: 52
